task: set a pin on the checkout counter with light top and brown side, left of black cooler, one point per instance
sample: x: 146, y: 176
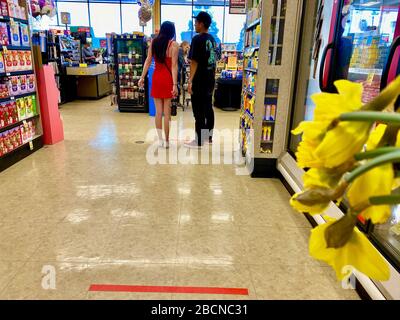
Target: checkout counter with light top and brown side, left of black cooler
x: 92, y: 81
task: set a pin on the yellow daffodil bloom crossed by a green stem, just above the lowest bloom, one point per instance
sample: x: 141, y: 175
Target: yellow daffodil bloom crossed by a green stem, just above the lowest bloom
x: 375, y: 182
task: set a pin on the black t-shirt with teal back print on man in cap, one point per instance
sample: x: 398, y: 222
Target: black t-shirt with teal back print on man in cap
x: 203, y: 51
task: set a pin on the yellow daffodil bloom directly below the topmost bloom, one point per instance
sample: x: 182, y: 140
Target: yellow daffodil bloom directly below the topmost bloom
x: 342, y: 143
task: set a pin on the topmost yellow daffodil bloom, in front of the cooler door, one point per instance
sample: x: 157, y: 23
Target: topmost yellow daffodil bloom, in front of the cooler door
x: 329, y: 106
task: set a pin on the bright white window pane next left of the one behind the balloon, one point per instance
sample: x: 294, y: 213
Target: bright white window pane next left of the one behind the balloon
x: 105, y: 18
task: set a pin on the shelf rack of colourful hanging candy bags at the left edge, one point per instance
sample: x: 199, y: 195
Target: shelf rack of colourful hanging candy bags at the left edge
x: 20, y: 125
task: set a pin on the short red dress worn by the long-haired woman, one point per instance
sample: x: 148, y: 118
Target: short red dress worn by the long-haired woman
x: 162, y: 82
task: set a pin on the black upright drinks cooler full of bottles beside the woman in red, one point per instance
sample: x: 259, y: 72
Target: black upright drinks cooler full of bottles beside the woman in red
x: 129, y: 56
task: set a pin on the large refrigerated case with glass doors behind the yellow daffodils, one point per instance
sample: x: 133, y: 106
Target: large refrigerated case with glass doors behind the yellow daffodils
x: 356, y: 40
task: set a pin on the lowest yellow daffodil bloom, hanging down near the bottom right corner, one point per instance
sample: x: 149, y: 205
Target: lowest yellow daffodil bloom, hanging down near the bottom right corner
x: 358, y: 252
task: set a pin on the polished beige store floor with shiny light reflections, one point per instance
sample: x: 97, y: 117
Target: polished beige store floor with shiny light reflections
x: 93, y: 210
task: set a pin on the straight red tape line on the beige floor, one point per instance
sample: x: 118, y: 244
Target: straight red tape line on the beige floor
x: 166, y: 289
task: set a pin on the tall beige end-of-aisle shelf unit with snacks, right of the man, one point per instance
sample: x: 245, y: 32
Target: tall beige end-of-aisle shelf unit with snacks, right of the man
x: 272, y: 29
